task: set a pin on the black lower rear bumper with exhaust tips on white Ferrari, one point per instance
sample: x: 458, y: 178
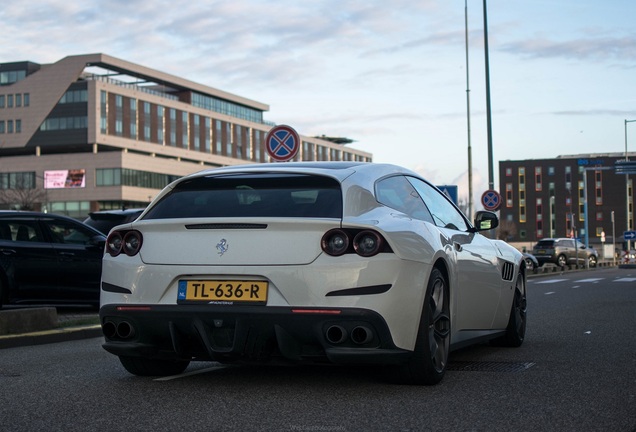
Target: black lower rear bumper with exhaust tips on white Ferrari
x: 249, y: 334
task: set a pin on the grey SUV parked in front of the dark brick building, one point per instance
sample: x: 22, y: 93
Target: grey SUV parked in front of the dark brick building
x: 564, y: 251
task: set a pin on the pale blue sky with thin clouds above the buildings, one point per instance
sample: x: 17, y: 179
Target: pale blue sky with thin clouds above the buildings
x: 395, y: 76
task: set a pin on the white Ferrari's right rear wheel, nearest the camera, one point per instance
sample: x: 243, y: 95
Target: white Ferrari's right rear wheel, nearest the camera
x: 427, y: 365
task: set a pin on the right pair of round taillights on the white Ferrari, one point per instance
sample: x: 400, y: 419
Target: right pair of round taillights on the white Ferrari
x: 365, y: 243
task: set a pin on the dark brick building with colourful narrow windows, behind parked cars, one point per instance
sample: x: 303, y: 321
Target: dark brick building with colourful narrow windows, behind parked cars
x: 543, y: 198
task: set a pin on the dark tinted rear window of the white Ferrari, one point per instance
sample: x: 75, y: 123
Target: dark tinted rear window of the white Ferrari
x: 253, y: 195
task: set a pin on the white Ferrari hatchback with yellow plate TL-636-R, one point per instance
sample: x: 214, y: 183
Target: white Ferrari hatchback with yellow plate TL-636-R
x: 346, y: 262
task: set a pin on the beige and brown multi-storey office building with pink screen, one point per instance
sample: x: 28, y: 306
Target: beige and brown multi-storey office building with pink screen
x: 94, y: 132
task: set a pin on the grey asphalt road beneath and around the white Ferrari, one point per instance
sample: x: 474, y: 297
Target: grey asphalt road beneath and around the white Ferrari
x: 576, y: 371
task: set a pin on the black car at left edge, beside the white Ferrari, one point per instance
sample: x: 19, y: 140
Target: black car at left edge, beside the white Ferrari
x: 48, y: 259
